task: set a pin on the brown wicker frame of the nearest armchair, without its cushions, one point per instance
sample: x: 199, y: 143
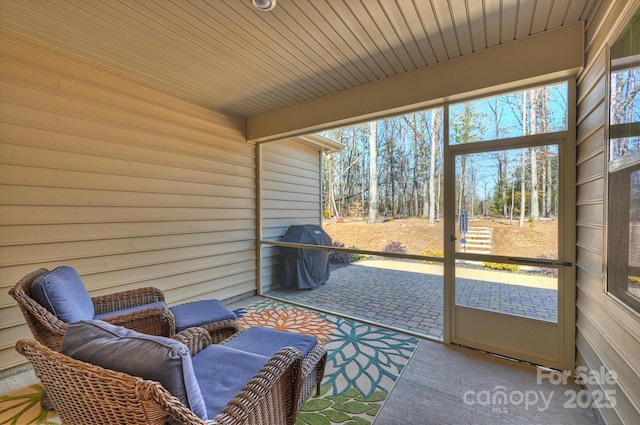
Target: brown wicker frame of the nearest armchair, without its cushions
x: 83, y: 393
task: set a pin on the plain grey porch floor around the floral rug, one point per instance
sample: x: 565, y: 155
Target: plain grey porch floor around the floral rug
x: 442, y: 385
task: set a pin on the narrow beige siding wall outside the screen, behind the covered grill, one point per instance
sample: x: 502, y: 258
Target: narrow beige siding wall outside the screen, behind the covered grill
x: 290, y: 196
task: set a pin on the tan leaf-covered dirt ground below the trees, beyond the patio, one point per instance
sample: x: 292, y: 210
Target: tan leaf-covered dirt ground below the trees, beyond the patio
x: 534, y: 240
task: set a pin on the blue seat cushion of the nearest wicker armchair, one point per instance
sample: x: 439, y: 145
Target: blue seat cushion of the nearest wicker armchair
x: 222, y: 372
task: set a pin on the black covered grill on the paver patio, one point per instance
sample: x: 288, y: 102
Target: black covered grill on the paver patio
x: 302, y: 268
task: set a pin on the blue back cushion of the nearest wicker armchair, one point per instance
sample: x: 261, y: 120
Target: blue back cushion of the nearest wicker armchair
x: 156, y: 358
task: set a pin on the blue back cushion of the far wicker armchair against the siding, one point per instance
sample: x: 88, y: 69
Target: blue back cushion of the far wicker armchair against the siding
x: 62, y: 292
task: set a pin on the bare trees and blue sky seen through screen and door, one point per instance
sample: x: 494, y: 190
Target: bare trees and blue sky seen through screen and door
x: 393, y: 168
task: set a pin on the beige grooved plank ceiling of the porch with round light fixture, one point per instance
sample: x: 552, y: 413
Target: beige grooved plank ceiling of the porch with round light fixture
x: 227, y: 56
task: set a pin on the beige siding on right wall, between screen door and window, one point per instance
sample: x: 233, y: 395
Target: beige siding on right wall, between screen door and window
x: 606, y: 334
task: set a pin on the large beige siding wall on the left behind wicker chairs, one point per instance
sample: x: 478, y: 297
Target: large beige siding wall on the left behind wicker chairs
x: 131, y: 186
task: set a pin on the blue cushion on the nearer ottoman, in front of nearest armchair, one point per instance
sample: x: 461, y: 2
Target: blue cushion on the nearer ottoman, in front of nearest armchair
x: 267, y: 342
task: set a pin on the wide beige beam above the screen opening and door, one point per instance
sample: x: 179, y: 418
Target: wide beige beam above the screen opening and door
x: 553, y: 54
